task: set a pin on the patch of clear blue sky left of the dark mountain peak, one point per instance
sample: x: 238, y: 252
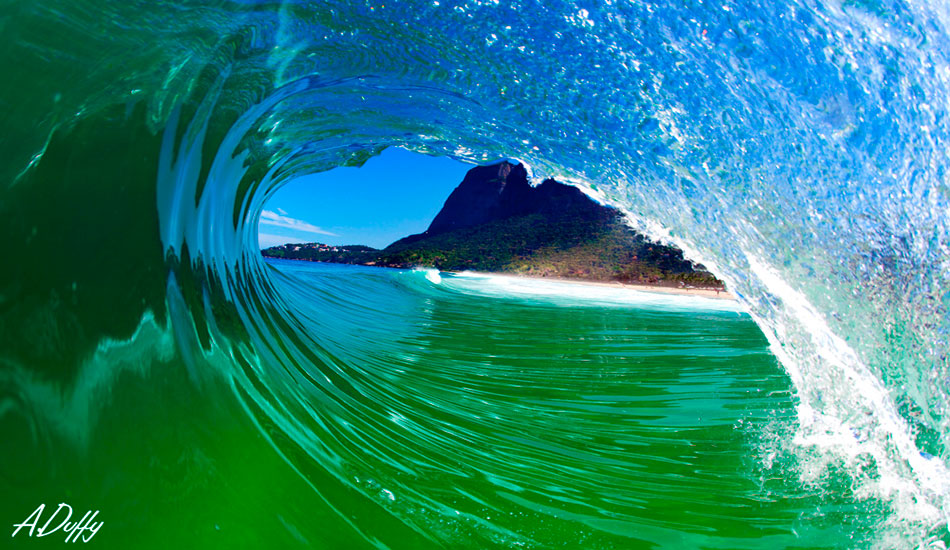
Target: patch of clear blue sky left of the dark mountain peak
x: 393, y: 195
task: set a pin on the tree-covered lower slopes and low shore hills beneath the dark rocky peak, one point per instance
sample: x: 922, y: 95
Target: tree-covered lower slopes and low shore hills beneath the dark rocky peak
x: 578, y: 243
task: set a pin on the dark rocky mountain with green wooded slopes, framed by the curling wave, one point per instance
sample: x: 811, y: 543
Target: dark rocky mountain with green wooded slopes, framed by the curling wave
x: 496, y: 222
